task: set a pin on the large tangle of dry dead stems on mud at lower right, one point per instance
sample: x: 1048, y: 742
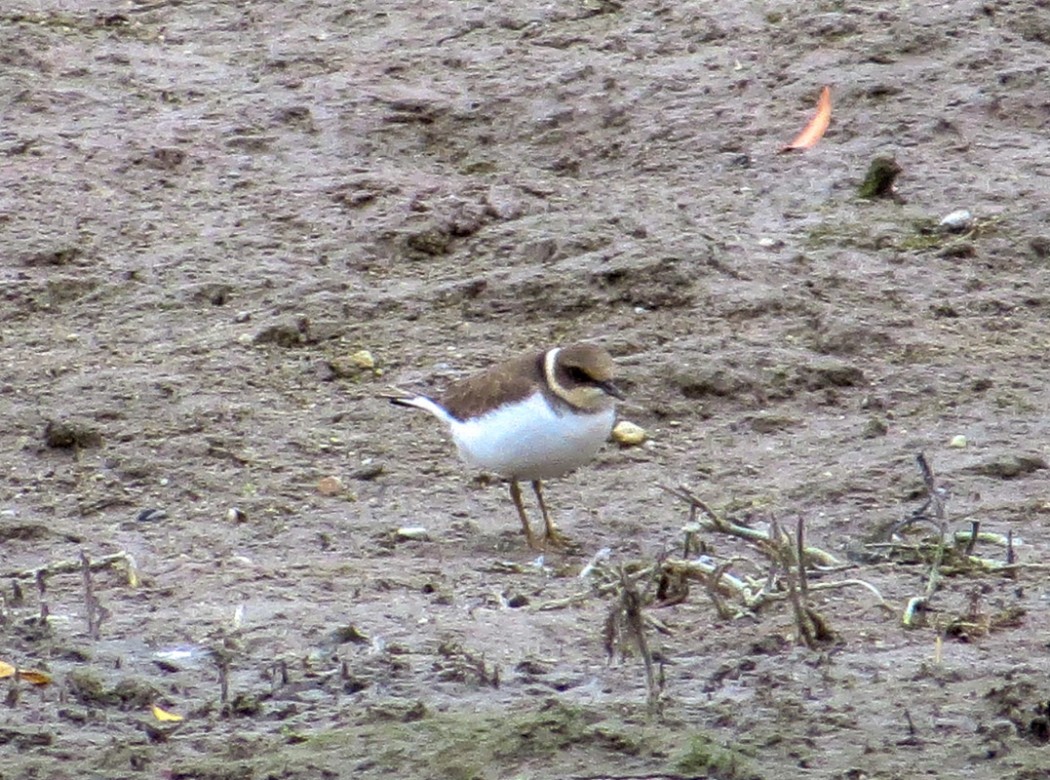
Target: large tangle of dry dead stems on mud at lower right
x: 787, y: 568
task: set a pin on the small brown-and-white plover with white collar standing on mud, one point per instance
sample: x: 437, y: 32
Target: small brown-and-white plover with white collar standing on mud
x: 533, y: 418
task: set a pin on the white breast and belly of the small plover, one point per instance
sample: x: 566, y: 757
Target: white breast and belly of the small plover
x: 530, y: 440
